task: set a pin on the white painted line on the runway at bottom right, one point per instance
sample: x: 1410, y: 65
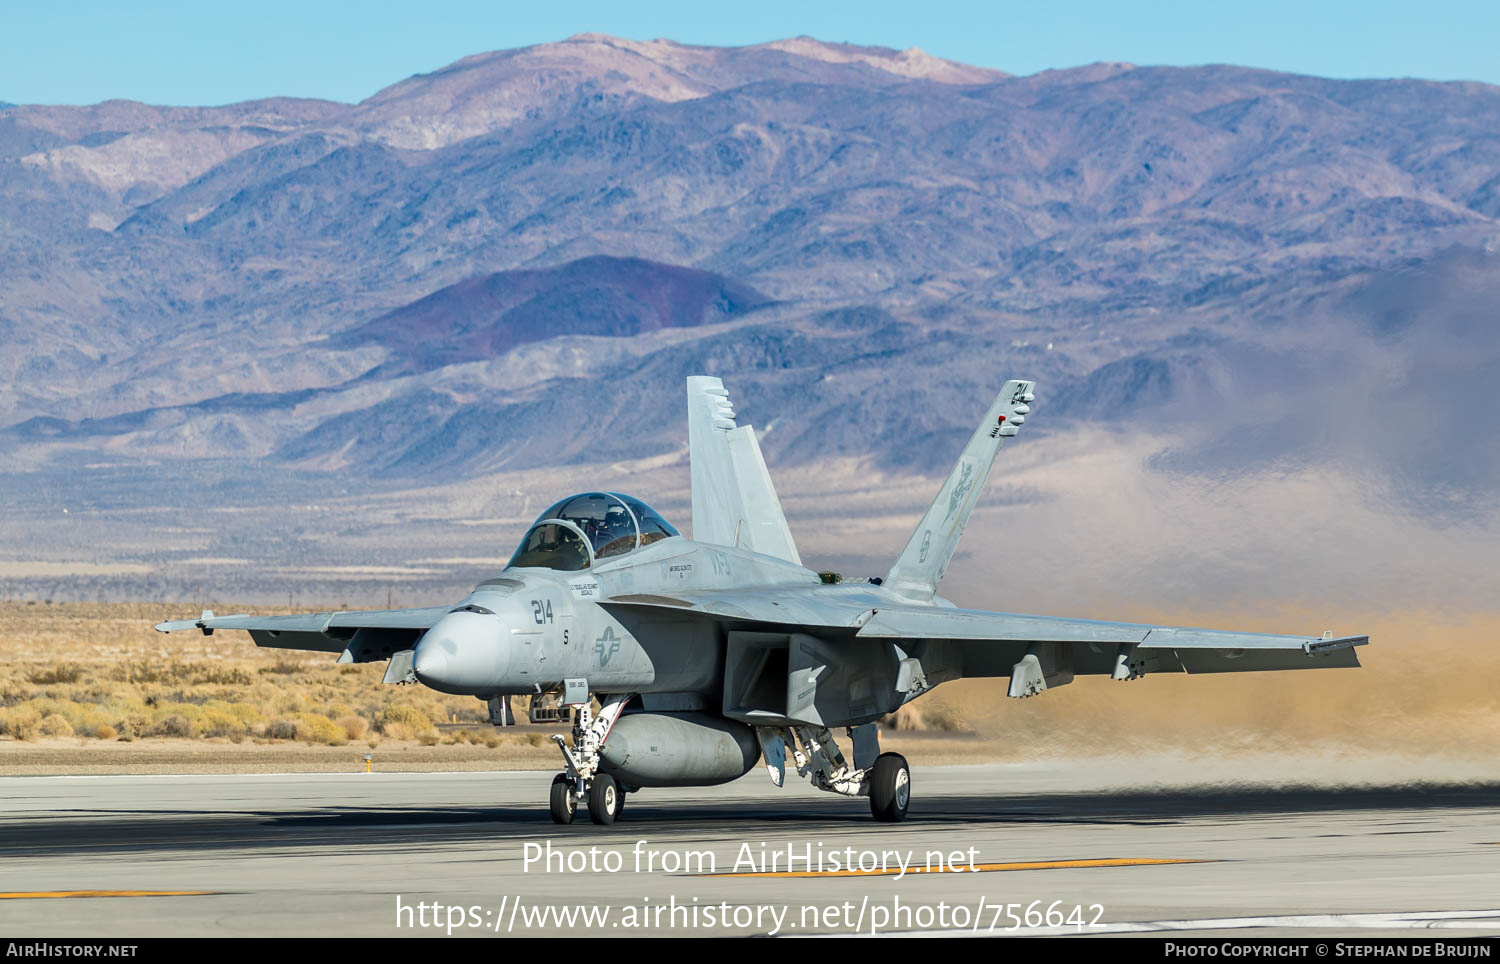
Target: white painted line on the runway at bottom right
x: 1418, y: 920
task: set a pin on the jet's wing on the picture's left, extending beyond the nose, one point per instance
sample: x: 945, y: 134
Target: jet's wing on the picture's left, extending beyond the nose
x: 362, y: 636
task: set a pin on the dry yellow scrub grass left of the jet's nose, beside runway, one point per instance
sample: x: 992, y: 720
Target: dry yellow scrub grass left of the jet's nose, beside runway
x: 86, y: 674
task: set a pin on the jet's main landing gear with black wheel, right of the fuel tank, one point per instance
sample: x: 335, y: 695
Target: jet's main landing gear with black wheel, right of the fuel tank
x: 883, y: 777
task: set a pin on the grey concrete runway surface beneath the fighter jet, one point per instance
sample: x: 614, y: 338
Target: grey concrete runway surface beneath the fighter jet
x: 338, y: 855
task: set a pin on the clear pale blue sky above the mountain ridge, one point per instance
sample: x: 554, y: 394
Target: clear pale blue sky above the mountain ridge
x: 203, y: 53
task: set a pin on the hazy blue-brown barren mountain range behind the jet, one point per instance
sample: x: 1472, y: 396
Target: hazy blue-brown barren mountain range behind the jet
x: 514, y: 262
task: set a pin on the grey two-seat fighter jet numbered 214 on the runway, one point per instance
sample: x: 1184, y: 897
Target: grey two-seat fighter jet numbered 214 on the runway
x: 710, y: 654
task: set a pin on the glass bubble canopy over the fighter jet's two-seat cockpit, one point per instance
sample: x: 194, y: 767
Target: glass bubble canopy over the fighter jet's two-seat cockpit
x: 586, y: 528
